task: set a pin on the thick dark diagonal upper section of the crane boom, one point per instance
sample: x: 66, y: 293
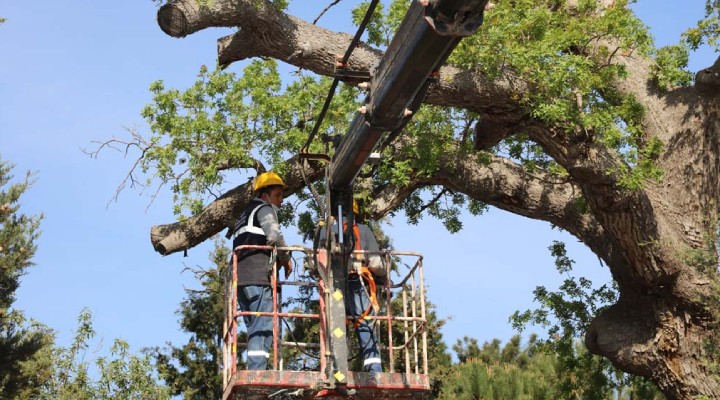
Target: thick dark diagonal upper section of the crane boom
x: 424, y: 40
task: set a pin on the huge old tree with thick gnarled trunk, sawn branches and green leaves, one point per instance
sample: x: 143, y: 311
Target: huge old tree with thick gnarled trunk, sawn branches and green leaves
x: 561, y: 111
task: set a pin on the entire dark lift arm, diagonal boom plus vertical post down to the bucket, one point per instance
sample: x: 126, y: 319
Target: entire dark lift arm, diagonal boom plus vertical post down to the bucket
x: 427, y: 35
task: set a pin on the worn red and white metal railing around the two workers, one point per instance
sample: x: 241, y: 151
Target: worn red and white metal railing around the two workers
x: 404, y: 333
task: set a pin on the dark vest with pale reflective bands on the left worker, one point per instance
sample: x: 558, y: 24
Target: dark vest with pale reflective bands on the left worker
x: 253, y: 264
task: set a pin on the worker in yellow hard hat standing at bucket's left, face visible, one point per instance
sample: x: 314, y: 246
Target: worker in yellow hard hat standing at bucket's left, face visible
x: 258, y: 225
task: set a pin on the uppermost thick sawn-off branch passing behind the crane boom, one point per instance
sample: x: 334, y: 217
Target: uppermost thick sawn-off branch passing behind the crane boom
x: 266, y: 32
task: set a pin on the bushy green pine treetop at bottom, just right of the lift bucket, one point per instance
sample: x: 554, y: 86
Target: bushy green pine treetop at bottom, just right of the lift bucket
x: 509, y: 372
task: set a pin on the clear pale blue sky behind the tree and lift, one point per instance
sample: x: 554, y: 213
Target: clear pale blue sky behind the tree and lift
x: 76, y: 72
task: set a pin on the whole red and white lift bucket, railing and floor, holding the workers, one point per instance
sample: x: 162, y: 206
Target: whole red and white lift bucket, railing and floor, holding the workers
x: 402, y: 337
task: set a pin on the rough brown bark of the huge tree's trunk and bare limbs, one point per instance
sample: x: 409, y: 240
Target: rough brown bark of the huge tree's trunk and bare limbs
x: 658, y: 327
